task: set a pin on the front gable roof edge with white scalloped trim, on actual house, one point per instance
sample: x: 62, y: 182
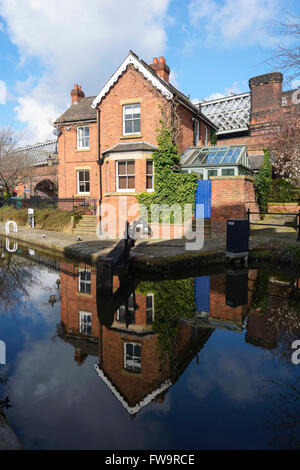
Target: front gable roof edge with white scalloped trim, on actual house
x: 168, y: 90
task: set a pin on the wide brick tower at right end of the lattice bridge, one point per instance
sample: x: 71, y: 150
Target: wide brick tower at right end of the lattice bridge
x: 266, y: 96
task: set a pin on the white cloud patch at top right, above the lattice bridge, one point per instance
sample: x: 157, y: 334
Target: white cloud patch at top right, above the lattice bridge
x: 242, y: 22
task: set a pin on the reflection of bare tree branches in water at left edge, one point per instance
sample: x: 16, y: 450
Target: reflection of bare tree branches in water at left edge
x: 16, y: 275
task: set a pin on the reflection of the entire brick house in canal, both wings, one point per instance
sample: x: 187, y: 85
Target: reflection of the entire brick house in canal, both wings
x: 130, y: 362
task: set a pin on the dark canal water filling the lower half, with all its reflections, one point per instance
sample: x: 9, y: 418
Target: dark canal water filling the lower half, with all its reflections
x: 190, y: 362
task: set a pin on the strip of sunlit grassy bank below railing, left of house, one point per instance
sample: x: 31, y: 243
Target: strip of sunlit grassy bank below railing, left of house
x: 46, y: 219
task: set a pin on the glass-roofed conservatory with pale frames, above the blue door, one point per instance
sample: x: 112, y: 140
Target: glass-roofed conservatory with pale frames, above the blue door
x: 216, y: 161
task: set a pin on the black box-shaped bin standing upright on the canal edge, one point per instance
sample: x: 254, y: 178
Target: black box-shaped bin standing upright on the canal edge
x: 237, y: 236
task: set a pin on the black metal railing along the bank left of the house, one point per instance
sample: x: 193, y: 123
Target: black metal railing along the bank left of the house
x: 84, y: 205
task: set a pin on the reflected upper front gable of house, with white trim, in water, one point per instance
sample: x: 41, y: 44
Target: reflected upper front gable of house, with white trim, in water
x: 135, y: 369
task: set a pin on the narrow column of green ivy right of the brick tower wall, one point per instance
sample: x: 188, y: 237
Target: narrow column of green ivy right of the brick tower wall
x: 263, y: 183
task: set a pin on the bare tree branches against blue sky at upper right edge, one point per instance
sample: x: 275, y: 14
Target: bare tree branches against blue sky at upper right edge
x: 287, y: 58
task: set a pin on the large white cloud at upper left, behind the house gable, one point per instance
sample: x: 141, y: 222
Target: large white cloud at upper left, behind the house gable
x: 78, y: 43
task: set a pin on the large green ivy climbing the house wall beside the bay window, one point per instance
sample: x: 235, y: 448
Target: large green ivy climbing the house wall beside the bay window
x: 170, y: 185
